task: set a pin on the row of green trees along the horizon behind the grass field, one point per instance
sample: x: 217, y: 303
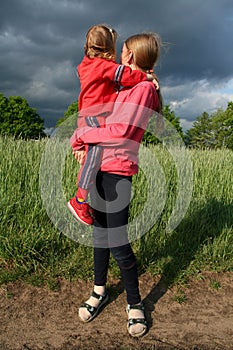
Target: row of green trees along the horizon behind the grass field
x: 209, y: 131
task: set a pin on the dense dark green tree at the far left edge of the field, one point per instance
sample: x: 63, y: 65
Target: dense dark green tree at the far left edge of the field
x: 18, y: 119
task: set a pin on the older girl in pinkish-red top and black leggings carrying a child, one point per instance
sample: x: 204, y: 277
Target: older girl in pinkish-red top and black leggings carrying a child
x: 120, y: 139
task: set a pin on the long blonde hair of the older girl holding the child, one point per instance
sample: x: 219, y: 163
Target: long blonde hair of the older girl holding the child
x: 145, y: 48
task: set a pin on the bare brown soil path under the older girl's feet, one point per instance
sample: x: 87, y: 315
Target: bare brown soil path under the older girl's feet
x: 41, y: 319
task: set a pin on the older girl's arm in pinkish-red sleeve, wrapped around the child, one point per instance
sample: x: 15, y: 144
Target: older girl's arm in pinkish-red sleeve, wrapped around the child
x: 124, y: 121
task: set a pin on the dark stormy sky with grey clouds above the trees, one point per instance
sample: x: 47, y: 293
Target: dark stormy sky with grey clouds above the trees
x: 41, y: 43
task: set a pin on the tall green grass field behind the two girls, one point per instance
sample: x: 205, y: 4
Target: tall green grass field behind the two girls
x: 33, y: 249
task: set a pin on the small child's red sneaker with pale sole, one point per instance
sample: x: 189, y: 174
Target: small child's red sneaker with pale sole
x: 81, y: 211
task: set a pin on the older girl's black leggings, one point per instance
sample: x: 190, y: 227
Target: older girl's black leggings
x: 110, y: 199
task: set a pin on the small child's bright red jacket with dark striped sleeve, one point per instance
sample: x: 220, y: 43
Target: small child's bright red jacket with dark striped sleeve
x: 100, y: 80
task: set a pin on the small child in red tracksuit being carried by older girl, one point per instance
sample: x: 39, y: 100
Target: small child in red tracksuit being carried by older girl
x: 100, y: 80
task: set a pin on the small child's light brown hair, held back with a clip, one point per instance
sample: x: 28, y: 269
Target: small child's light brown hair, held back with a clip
x: 101, y: 42
